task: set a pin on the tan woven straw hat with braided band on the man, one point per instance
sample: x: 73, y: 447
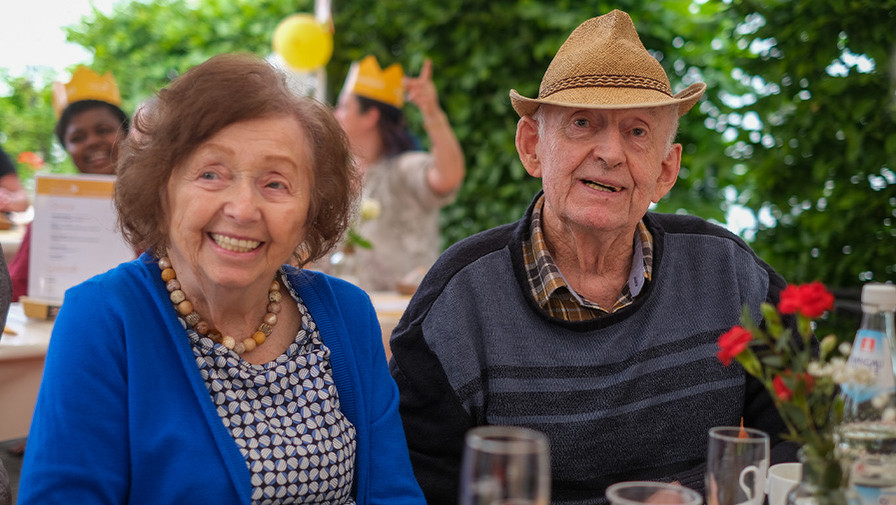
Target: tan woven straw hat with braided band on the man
x: 604, y: 65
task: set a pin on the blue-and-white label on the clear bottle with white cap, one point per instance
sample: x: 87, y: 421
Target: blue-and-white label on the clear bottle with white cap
x: 871, y: 350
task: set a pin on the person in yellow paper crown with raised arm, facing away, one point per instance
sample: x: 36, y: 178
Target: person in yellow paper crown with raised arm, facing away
x: 406, y: 185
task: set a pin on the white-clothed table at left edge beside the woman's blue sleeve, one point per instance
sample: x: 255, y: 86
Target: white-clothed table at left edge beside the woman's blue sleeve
x: 21, y: 368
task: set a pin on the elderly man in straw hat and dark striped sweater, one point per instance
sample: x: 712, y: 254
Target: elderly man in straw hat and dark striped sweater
x: 590, y: 319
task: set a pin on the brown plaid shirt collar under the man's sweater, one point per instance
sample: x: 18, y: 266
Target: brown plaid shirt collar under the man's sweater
x: 556, y: 297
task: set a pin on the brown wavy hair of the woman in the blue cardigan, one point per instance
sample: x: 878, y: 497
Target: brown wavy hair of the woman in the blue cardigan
x: 224, y: 90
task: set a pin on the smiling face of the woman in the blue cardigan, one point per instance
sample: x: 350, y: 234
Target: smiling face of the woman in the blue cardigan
x: 237, y: 206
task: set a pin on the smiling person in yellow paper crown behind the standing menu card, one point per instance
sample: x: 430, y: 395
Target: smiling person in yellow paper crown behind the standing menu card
x: 90, y: 127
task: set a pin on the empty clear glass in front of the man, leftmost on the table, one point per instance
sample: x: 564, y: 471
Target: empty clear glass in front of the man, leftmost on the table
x: 505, y: 465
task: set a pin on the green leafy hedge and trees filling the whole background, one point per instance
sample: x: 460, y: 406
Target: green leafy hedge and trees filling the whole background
x: 808, y: 149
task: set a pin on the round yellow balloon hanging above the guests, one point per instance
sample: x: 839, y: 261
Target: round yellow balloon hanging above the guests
x: 303, y: 42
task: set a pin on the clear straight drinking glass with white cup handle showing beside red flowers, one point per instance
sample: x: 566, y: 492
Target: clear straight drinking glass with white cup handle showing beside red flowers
x: 736, y: 466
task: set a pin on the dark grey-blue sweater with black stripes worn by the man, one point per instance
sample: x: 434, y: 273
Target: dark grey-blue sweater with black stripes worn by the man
x: 630, y: 396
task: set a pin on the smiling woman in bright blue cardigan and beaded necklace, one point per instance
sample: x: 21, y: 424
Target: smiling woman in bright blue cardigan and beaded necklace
x: 211, y: 369
